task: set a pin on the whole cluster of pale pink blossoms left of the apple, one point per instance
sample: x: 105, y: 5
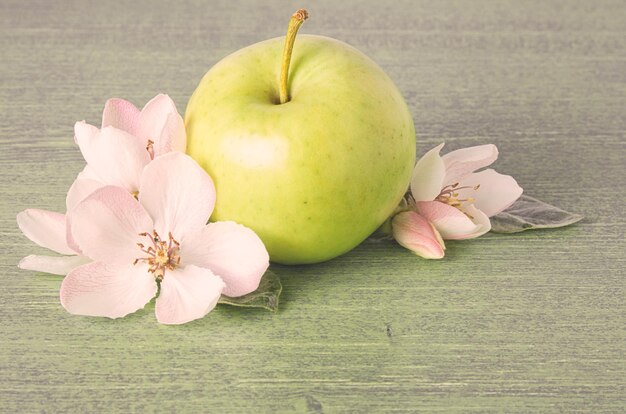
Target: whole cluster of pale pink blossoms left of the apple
x: 135, y: 226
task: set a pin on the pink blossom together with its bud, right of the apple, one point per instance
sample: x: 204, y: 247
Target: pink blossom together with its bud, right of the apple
x: 448, y: 200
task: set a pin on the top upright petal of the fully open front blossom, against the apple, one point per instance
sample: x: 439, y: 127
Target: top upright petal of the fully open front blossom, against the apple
x: 178, y: 194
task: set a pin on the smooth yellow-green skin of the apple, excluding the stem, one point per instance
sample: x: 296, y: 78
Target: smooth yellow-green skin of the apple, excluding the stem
x: 317, y: 175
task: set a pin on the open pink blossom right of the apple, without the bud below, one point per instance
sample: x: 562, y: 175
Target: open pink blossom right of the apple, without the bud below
x: 456, y: 200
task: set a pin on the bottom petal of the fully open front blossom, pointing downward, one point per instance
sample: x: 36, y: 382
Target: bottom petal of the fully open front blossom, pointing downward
x: 187, y: 294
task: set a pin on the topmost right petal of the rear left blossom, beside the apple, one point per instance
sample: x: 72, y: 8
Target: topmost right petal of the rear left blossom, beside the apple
x: 160, y: 122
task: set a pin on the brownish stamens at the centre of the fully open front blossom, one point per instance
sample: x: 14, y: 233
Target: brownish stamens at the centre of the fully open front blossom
x: 161, y: 255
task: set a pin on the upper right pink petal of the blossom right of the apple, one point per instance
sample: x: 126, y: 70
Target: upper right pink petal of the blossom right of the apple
x: 463, y: 161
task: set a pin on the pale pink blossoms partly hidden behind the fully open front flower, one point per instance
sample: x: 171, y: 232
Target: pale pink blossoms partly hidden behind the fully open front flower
x: 116, y: 155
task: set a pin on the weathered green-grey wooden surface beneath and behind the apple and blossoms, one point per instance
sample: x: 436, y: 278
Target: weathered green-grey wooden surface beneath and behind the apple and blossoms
x: 533, y: 322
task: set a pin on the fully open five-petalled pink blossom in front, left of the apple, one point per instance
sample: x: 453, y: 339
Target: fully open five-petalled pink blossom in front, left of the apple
x: 160, y: 239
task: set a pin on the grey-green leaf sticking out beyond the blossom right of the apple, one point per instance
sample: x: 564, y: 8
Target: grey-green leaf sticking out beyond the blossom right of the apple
x: 529, y: 213
